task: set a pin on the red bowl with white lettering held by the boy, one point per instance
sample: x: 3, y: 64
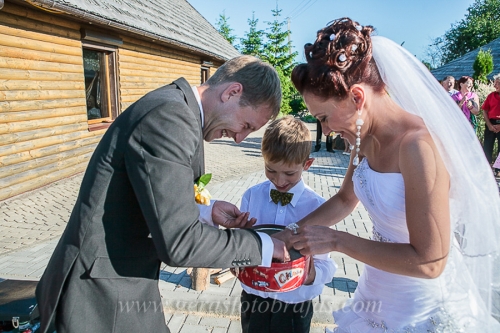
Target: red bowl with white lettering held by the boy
x: 281, y: 276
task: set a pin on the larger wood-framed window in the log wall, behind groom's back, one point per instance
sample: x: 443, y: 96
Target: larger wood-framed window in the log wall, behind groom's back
x: 99, y: 64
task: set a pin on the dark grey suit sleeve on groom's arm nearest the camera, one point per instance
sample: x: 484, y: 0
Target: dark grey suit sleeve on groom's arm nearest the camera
x: 158, y: 161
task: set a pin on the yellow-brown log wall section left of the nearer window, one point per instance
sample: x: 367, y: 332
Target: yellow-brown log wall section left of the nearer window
x: 44, y: 133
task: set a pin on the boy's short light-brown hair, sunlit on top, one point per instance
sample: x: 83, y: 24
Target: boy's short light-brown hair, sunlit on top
x: 286, y: 140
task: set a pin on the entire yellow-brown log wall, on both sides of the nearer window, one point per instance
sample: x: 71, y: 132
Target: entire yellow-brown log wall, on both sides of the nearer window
x: 44, y: 134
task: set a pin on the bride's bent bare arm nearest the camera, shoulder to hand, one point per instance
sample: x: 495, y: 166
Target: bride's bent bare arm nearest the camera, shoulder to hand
x: 427, y: 213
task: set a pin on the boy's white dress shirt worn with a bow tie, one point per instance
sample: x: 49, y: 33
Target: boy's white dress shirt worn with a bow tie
x: 257, y: 201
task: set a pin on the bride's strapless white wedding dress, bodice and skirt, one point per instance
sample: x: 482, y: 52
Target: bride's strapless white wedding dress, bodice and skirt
x: 386, y: 302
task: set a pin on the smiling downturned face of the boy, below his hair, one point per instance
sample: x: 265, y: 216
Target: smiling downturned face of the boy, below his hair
x: 285, y: 176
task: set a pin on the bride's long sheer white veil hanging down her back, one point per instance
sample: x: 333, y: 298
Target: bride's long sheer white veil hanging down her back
x: 474, y: 195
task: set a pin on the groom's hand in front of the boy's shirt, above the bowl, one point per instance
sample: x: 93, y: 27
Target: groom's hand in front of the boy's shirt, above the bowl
x: 228, y: 215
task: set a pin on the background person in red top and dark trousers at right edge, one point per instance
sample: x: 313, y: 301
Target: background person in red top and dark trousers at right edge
x: 491, y: 112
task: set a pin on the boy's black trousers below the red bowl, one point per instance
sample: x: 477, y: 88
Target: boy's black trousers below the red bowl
x: 266, y: 315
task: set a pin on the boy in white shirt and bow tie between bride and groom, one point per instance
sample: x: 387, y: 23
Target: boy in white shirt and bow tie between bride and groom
x: 285, y: 147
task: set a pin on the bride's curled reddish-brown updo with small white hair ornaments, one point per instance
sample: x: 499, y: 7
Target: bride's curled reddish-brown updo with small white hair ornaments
x: 340, y: 57
